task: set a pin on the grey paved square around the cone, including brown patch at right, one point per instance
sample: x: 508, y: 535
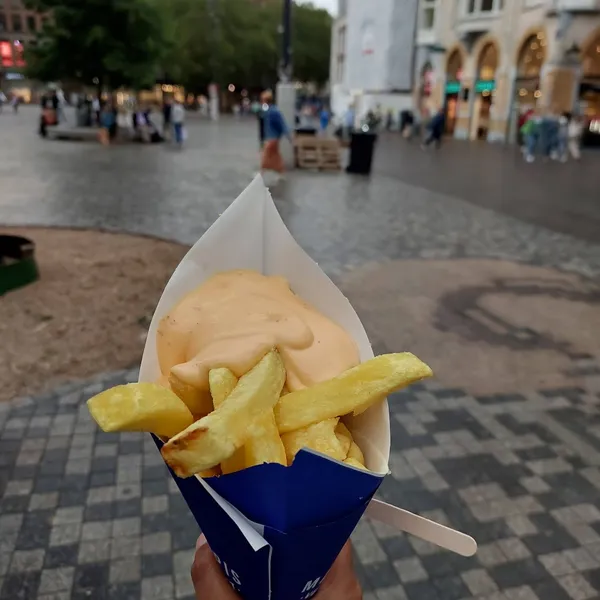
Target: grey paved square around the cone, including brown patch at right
x: 483, y: 266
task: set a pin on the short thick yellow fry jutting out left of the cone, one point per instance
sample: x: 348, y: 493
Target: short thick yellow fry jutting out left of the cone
x: 140, y: 407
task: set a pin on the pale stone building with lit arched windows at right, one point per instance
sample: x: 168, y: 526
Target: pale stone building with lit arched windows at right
x: 489, y: 62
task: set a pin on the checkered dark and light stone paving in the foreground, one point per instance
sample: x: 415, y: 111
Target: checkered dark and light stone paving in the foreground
x: 85, y: 514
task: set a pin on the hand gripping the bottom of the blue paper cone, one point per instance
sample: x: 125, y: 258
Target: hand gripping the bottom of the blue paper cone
x: 210, y: 583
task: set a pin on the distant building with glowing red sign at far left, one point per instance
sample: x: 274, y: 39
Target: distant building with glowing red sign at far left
x: 18, y: 27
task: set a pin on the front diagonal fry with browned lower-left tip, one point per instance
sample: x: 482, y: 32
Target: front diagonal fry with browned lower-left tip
x: 214, y: 438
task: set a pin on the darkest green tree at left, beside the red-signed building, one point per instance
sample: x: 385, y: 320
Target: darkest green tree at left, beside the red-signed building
x: 109, y: 43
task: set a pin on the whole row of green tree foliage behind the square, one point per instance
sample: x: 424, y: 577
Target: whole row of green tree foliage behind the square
x: 191, y: 42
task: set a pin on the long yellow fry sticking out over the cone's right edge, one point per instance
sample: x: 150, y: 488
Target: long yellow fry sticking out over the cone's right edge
x: 351, y: 392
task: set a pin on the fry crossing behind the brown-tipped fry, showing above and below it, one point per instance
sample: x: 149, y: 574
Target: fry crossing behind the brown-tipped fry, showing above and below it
x: 265, y: 447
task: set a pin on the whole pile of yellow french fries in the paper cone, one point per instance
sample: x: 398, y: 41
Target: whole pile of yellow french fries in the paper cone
x: 254, y: 420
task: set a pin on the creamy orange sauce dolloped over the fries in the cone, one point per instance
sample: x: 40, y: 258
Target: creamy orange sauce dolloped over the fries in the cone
x: 234, y: 318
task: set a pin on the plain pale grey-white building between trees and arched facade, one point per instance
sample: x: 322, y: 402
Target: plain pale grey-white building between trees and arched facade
x: 372, y: 55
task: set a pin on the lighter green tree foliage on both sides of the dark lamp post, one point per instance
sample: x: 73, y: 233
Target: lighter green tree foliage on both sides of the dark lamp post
x: 239, y: 42
